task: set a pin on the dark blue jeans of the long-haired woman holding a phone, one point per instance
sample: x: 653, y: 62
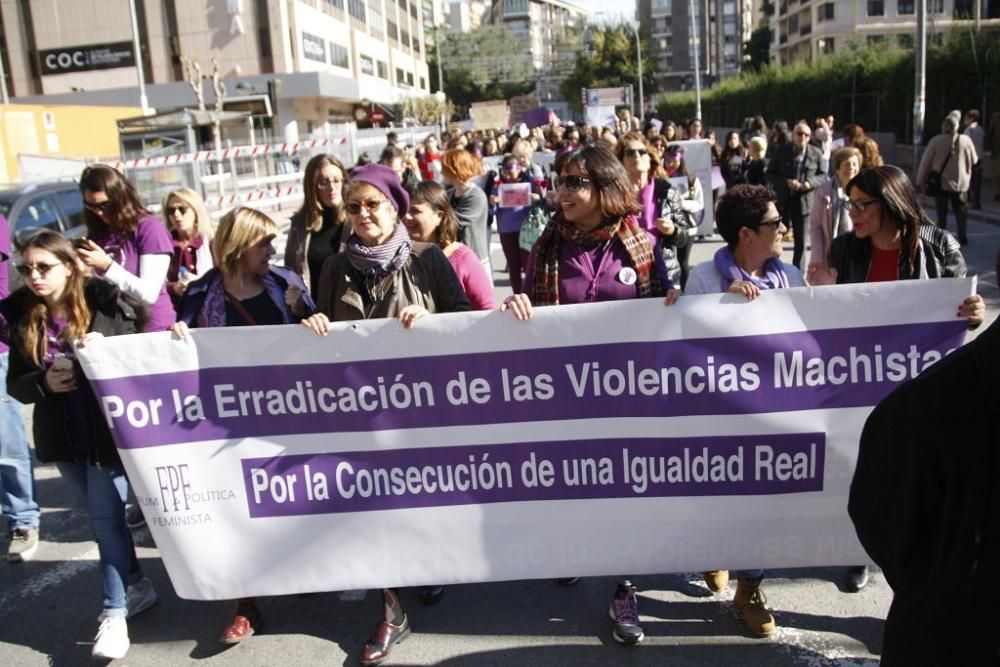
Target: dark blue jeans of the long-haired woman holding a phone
x: 105, y: 489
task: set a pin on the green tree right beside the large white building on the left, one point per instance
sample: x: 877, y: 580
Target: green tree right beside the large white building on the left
x: 484, y: 64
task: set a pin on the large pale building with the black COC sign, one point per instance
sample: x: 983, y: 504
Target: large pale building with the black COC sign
x: 316, y: 61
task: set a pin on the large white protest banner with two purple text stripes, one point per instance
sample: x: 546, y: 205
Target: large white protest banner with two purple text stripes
x: 594, y: 439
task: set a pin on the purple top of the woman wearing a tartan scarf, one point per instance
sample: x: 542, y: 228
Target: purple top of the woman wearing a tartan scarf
x: 587, y: 275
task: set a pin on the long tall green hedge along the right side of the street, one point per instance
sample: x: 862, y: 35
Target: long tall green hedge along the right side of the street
x: 871, y: 85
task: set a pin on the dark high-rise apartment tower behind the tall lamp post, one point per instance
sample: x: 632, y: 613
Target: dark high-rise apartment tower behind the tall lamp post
x: 722, y: 27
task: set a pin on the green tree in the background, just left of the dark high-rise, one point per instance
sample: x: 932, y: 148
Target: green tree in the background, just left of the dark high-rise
x: 607, y: 60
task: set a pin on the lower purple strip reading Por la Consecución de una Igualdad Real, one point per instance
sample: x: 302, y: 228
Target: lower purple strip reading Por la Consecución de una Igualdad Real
x: 331, y: 483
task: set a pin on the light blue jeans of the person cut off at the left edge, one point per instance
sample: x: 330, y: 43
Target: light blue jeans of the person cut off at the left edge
x: 17, y: 479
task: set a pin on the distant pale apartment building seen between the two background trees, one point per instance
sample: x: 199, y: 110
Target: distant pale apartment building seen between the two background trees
x: 541, y: 26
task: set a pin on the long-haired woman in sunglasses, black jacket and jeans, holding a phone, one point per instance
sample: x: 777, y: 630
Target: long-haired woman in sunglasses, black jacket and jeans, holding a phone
x: 56, y: 311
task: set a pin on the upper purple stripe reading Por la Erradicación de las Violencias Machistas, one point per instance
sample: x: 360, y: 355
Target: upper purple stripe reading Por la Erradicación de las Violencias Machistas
x: 808, y: 370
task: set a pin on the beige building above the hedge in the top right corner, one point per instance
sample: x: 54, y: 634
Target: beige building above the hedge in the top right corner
x: 807, y: 29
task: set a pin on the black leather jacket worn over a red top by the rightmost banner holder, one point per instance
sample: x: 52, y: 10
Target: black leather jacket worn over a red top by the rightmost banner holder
x: 939, y: 256
